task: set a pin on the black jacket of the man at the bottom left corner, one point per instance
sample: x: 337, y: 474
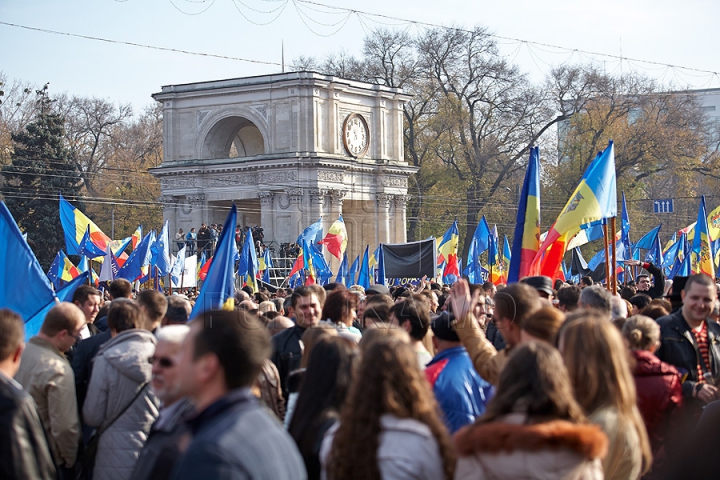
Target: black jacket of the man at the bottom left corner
x: 24, y: 451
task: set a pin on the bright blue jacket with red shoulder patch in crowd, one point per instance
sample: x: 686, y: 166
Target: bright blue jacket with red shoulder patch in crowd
x: 461, y: 392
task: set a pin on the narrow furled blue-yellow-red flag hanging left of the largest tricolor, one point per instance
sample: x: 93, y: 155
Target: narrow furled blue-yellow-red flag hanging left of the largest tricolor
x: 526, y: 241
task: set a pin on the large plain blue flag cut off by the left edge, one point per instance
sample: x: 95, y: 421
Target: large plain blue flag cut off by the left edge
x: 24, y: 287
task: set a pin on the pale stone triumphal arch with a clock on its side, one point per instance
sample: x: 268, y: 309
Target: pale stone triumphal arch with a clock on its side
x: 288, y: 149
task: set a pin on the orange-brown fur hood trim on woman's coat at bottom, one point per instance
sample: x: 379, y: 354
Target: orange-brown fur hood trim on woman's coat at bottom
x: 586, y: 440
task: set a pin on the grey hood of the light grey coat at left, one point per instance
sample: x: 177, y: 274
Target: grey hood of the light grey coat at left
x: 129, y: 352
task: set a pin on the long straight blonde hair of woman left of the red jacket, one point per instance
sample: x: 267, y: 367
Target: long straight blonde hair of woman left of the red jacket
x: 597, y: 361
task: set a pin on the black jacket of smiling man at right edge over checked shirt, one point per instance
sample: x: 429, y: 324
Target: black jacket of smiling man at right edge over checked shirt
x: 678, y: 348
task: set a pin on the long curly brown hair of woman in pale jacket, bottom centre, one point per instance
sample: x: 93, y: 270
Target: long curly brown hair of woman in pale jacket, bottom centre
x: 389, y: 381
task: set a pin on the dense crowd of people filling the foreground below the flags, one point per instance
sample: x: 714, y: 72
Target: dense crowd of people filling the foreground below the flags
x: 530, y: 380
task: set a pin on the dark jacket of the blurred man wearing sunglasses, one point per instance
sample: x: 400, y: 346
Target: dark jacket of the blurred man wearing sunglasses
x: 162, y: 448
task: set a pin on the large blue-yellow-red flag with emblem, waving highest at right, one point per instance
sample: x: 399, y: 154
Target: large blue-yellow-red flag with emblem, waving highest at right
x: 594, y: 198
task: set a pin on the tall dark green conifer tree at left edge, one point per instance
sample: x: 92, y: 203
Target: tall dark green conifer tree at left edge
x: 39, y: 169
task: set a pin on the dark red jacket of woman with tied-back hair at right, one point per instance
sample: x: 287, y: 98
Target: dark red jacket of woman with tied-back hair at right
x: 659, y: 395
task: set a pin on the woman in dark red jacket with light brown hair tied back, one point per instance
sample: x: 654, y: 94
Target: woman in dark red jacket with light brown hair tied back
x: 658, y: 384
